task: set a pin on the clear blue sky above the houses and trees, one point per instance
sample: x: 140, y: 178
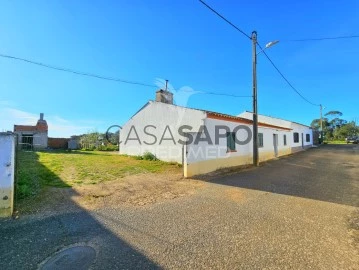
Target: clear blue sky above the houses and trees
x: 181, y: 41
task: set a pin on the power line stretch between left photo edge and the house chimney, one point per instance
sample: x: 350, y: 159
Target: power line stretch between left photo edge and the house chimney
x: 75, y: 72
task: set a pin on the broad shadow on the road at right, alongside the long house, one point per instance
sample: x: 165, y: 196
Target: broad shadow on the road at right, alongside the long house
x: 328, y: 173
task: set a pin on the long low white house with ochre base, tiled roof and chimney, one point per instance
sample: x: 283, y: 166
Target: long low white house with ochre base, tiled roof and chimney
x: 204, y: 141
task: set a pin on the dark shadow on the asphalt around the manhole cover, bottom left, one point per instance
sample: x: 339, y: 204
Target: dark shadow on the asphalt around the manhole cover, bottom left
x: 28, y: 241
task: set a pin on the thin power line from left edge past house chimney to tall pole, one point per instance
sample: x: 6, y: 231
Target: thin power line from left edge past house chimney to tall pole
x: 102, y: 77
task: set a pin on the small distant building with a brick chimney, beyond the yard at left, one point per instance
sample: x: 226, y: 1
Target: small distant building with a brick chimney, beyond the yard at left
x: 33, y: 137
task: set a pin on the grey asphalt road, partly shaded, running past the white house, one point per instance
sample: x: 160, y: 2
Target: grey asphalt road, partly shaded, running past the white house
x: 297, y: 212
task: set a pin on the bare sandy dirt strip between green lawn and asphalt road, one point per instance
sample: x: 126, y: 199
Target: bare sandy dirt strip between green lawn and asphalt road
x: 135, y: 190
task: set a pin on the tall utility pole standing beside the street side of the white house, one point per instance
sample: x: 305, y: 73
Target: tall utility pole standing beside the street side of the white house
x: 255, y: 112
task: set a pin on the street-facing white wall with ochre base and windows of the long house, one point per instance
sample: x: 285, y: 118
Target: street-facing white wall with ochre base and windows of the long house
x: 204, y: 158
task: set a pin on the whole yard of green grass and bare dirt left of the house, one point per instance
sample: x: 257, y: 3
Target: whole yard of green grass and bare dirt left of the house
x: 68, y: 181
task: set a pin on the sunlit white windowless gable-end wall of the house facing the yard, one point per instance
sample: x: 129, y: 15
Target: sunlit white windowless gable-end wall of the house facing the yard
x: 159, y: 121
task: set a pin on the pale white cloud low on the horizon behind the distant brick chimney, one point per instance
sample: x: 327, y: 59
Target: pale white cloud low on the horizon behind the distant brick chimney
x: 58, y: 126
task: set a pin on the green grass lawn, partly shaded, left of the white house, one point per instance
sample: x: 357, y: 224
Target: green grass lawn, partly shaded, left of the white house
x: 37, y: 170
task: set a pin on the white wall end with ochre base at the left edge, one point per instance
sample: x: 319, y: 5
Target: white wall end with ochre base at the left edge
x: 7, y: 173
